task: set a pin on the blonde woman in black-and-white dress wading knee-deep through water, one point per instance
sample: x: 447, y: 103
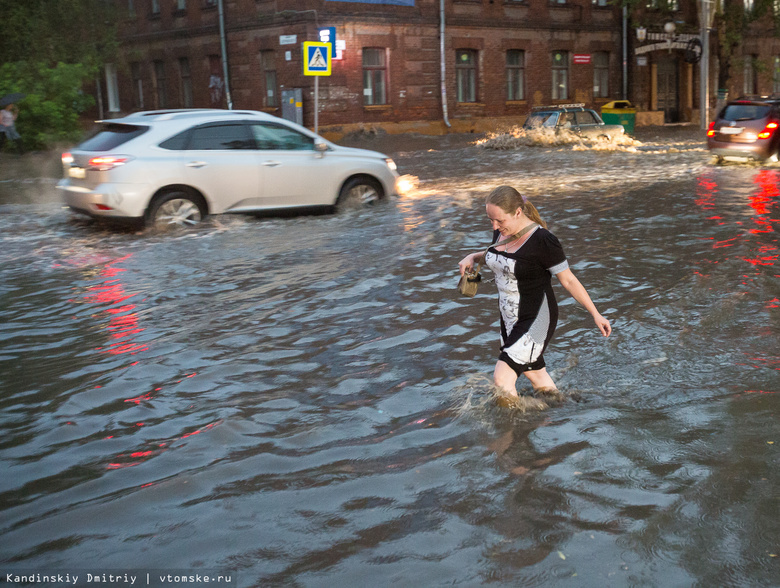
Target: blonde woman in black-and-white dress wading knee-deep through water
x: 524, y: 257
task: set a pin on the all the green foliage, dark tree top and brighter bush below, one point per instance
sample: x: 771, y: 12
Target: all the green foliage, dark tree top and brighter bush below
x: 52, y: 50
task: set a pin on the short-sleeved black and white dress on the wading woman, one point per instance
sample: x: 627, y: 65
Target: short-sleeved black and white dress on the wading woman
x: 529, y: 312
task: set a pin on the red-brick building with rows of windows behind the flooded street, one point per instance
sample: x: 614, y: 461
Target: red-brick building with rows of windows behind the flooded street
x: 499, y: 58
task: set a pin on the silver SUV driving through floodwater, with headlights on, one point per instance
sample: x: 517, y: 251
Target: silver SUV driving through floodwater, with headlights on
x: 175, y: 167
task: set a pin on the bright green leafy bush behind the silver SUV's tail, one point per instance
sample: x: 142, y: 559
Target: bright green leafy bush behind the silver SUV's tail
x: 50, y: 112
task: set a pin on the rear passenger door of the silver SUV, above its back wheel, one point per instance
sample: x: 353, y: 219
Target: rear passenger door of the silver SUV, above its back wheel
x: 221, y: 161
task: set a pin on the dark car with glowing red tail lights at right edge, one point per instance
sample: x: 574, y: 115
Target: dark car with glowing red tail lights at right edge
x: 746, y: 128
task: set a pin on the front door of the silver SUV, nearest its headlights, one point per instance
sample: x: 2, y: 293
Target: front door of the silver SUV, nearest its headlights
x: 294, y: 172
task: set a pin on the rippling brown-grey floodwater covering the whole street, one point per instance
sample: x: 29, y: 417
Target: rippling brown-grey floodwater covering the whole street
x: 305, y: 401
